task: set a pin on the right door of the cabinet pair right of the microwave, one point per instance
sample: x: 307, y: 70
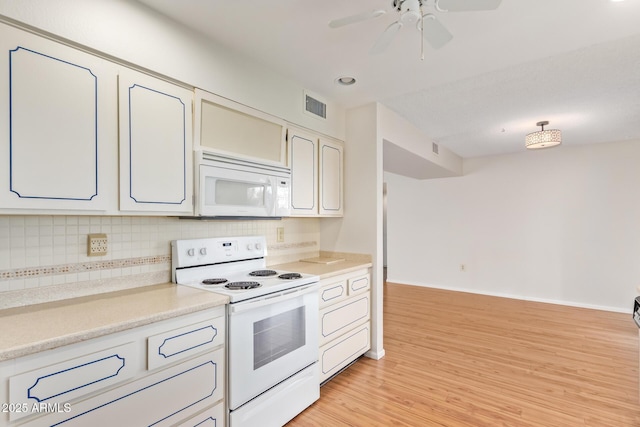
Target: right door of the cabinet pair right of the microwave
x: 331, y: 179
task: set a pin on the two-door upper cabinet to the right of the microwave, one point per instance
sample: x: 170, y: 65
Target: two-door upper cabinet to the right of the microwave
x: 316, y: 174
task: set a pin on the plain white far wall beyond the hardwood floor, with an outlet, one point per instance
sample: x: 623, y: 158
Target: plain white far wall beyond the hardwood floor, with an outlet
x: 559, y: 225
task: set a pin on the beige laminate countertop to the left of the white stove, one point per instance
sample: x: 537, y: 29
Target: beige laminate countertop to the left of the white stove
x: 31, y: 329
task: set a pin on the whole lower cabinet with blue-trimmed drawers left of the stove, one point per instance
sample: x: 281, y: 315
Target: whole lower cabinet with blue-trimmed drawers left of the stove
x: 168, y: 373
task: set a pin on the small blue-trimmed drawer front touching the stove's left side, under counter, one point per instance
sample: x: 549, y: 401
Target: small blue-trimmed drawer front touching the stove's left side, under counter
x: 178, y: 344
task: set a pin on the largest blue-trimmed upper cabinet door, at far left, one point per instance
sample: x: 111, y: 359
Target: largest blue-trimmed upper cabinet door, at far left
x: 58, y: 126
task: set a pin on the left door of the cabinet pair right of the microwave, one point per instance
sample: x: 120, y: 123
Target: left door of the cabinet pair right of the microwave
x: 303, y: 149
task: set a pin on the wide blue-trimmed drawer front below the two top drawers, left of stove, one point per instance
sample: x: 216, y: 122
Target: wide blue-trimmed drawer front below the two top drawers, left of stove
x: 161, y: 399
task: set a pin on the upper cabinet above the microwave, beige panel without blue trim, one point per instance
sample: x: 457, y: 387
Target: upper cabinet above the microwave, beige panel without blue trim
x: 227, y: 127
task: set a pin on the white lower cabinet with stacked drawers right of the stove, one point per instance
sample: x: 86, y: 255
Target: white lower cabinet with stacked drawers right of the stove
x: 345, y: 321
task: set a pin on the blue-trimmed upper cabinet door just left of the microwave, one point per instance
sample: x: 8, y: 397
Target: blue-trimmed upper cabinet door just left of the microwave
x: 155, y: 145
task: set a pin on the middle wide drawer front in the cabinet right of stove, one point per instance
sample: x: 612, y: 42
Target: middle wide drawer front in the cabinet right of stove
x: 337, y: 319
